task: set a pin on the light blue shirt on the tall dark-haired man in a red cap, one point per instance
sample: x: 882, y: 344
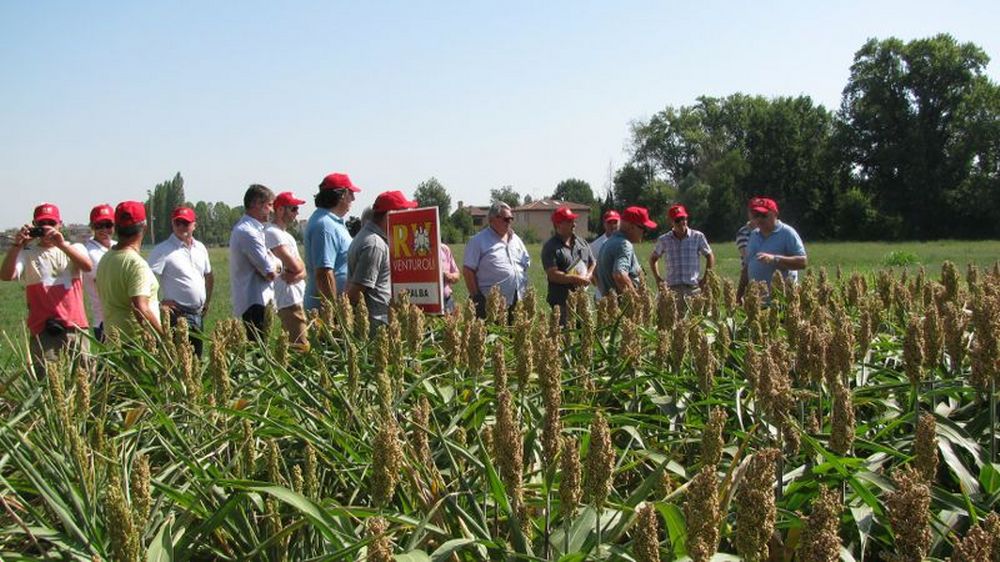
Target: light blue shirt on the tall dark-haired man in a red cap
x: 326, y: 241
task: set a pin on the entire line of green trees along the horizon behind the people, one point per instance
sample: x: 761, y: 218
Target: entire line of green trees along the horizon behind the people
x: 913, y: 152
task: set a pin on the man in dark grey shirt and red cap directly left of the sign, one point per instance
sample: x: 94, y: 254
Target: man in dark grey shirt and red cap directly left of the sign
x: 368, y: 259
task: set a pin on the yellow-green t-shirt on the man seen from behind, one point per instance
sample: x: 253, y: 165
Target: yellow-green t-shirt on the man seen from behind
x: 121, y: 275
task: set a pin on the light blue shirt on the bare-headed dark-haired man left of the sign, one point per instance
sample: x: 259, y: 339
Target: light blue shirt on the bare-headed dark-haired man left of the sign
x: 249, y: 264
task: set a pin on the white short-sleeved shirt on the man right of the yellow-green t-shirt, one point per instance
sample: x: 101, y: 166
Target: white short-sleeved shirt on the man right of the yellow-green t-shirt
x: 181, y: 271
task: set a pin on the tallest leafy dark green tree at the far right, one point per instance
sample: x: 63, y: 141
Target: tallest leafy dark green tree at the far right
x: 907, y: 111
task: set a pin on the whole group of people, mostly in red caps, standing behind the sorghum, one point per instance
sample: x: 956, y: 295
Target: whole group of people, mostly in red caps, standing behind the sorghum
x: 128, y: 293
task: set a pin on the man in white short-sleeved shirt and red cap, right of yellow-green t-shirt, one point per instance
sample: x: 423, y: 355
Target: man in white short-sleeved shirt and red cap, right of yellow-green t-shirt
x: 184, y: 271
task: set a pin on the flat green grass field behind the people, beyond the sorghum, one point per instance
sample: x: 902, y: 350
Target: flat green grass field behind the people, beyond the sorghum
x: 850, y: 256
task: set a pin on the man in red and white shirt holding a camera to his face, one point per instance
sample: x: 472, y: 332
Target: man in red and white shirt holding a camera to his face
x: 50, y: 271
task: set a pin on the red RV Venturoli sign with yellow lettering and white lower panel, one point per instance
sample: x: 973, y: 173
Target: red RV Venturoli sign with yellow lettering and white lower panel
x: 414, y: 257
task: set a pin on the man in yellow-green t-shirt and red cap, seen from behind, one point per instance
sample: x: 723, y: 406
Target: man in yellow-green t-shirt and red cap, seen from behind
x: 127, y: 286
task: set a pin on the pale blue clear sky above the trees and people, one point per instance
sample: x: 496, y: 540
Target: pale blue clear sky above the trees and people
x: 100, y: 101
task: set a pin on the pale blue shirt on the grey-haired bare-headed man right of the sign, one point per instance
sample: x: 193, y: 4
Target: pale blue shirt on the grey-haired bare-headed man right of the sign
x: 498, y: 263
